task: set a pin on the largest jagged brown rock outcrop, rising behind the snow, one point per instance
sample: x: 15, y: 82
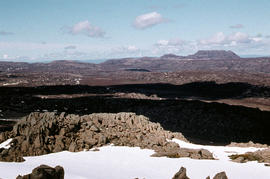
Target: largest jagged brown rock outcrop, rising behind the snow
x: 43, y: 133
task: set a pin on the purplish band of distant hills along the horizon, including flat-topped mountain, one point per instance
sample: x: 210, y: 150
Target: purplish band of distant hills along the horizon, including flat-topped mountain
x: 203, y: 60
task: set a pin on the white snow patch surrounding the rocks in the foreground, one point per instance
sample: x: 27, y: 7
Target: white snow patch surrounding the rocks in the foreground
x: 128, y: 163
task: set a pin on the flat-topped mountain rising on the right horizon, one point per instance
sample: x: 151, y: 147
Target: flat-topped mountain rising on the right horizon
x: 214, y: 55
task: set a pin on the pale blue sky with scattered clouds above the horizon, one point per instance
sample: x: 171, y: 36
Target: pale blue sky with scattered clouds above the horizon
x: 32, y: 30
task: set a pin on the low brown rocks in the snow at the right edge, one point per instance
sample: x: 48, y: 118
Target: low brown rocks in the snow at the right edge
x: 262, y: 156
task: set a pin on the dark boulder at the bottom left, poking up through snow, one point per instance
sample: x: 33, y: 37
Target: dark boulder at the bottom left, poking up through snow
x: 45, y: 172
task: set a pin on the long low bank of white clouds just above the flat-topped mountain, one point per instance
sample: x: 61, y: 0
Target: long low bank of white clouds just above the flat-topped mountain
x: 241, y: 43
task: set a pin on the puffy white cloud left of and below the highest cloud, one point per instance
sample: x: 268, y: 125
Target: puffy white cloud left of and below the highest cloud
x: 85, y: 28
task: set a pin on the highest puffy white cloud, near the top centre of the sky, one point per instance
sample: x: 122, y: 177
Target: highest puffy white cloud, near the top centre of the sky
x: 148, y: 20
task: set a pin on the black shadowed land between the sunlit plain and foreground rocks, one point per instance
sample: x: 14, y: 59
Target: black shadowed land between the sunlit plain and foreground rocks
x: 202, y: 121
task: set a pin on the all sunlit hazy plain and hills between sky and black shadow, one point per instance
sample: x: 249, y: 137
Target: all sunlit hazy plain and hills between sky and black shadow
x: 219, y: 66
